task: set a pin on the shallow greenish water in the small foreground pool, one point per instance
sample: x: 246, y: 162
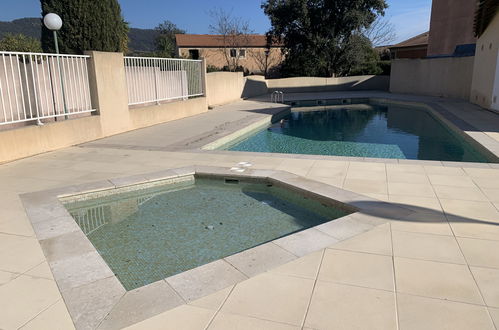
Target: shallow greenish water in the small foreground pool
x: 148, y: 235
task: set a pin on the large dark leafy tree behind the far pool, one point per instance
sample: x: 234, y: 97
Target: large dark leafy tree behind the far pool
x: 317, y: 34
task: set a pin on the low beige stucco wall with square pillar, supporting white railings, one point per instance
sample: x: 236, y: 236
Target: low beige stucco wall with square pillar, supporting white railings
x: 109, y: 96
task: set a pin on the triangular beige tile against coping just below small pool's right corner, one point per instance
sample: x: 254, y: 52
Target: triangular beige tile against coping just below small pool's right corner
x: 377, y: 241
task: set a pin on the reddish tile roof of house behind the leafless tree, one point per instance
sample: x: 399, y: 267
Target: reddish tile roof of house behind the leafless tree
x: 213, y: 40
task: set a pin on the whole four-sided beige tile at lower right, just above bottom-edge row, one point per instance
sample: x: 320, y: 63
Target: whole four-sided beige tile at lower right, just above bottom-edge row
x: 436, y: 280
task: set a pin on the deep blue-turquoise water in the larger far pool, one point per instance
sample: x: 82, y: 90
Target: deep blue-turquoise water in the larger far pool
x: 362, y: 130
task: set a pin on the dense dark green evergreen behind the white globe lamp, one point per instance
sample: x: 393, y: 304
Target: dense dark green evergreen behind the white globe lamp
x: 87, y: 25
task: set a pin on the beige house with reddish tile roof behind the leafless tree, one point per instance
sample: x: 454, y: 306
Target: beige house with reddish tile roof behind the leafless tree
x: 252, y: 52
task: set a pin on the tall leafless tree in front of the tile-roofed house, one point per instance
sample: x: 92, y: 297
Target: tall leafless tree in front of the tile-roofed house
x: 234, y: 34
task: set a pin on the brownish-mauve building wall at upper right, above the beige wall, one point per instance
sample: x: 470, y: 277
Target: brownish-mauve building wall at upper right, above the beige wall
x: 451, y: 24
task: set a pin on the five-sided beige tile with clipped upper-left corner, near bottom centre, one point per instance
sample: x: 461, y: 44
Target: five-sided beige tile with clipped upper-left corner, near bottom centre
x: 272, y: 297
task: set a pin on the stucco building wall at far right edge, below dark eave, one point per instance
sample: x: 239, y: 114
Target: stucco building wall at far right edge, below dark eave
x: 485, y: 85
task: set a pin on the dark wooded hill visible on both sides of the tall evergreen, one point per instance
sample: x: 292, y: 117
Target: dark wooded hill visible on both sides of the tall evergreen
x: 140, y: 40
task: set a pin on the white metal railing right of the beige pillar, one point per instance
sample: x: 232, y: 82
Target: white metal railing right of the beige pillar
x: 159, y: 79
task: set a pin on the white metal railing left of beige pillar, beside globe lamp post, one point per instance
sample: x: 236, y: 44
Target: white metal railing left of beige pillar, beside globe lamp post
x: 35, y: 86
